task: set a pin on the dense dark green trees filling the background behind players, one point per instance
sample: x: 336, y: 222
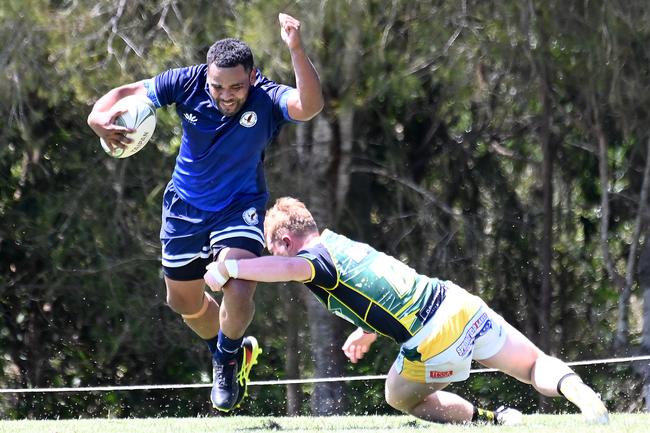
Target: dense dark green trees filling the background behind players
x: 500, y: 145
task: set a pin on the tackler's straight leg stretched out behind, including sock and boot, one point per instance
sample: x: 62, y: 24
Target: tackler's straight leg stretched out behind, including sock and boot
x: 521, y: 359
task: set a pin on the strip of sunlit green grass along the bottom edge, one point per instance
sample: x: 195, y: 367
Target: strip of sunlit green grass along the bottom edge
x: 620, y: 423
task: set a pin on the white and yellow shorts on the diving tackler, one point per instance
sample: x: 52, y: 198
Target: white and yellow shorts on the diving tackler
x: 463, y: 329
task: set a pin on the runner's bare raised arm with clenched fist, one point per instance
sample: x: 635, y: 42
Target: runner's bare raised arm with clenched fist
x: 307, y: 101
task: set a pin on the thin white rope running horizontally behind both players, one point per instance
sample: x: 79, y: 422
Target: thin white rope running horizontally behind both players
x: 280, y: 381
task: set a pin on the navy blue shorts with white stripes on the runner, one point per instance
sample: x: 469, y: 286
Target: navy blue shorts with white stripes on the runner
x: 191, y: 237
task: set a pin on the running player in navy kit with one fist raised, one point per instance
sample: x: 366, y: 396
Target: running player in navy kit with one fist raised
x: 213, y: 207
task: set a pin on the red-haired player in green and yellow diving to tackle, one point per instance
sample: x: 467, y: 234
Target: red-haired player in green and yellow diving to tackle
x: 440, y: 326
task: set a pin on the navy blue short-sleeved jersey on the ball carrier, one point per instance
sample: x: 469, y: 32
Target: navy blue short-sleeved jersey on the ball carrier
x: 220, y: 157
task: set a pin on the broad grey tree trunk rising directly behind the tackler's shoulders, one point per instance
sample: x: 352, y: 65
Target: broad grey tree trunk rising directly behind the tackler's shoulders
x: 327, y: 178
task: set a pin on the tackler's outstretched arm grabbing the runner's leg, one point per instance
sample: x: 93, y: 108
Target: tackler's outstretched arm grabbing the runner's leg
x: 264, y: 269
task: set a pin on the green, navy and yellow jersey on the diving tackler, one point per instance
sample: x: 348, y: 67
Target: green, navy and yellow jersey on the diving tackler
x: 369, y: 288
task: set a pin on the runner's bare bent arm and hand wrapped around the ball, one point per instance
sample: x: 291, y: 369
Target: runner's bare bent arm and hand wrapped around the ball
x: 102, y: 117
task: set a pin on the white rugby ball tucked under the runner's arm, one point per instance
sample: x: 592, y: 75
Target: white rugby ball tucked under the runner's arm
x: 141, y: 116
